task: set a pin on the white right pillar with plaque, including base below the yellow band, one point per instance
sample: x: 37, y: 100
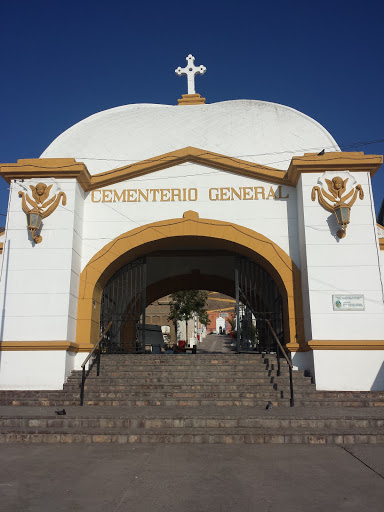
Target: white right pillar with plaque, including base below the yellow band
x: 347, y: 266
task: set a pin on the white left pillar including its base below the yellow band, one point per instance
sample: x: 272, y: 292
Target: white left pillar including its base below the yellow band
x: 39, y: 289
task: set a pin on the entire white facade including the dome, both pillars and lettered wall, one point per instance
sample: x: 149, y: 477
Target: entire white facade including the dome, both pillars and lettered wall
x: 40, y: 282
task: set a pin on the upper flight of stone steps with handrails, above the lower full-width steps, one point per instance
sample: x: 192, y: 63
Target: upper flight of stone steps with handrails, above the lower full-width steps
x: 191, y: 380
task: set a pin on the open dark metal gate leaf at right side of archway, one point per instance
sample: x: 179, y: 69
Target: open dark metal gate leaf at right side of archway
x: 257, y: 300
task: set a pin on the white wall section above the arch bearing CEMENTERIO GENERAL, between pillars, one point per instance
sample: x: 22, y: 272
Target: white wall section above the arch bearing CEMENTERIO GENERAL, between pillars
x: 275, y: 219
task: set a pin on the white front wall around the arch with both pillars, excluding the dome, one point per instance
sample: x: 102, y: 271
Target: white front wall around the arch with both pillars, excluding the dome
x: 41, y: 281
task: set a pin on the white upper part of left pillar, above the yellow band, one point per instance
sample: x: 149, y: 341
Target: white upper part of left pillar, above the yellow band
x: 39, y: 282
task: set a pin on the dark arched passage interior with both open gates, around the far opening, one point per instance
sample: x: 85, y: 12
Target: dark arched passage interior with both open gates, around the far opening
x: 137, y: 284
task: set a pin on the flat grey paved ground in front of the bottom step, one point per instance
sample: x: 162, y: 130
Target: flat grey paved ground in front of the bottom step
x: 188, y: 478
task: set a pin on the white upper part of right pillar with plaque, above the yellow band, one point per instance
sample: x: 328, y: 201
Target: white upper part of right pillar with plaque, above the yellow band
x: 330, y: 265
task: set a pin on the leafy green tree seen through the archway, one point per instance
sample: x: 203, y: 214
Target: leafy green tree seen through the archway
x: 185, y: 304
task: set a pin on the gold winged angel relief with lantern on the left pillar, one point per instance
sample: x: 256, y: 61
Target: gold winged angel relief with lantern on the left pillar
x: 40, y: 206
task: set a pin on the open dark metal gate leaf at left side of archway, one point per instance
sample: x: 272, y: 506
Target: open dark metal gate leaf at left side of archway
x: 123, y: 302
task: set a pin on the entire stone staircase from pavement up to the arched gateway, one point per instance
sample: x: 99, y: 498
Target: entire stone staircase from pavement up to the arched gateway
x: 218, y: 398
